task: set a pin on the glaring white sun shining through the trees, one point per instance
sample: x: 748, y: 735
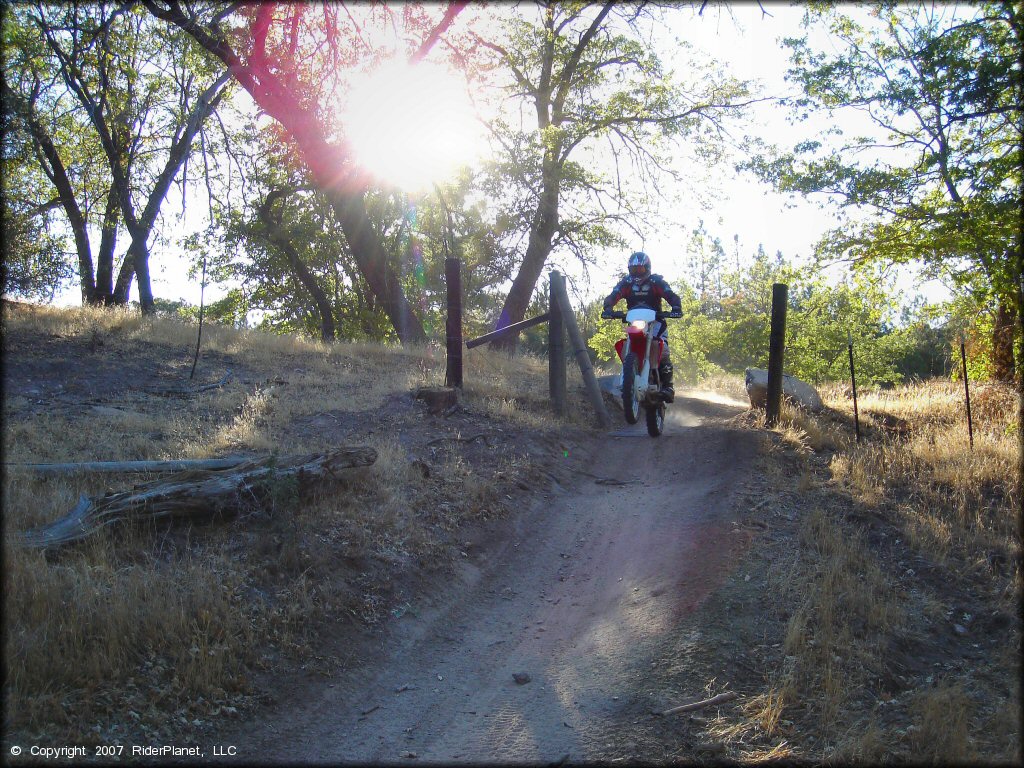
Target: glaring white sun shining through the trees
x: 411, y: 125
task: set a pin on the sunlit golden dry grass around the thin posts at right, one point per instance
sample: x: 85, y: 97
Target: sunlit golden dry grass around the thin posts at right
x: 953, y: 499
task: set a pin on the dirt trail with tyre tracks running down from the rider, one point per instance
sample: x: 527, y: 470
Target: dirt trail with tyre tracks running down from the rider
x: 587, y: 590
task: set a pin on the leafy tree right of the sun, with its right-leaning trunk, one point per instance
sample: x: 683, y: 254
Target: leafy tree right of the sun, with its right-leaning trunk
x: 594, y: 82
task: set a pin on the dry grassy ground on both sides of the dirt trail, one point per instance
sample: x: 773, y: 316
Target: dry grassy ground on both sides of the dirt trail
x: 878, y: 603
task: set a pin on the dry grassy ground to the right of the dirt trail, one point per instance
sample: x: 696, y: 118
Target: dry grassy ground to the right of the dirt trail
x: 854, y: 598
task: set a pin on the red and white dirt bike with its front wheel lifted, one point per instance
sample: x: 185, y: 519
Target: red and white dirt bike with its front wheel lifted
x: 642, y: 383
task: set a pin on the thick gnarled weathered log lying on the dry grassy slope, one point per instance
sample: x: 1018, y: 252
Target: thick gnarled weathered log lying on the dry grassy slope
x: 200, y: 495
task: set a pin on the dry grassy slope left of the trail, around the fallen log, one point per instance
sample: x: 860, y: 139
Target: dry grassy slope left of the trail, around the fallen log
x: 157, y: 631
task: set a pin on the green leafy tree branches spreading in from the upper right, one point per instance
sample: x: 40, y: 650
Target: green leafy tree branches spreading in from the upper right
x: 940, y: 182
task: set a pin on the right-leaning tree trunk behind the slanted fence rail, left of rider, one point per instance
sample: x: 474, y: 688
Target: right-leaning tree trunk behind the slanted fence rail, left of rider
x: 542, y: 235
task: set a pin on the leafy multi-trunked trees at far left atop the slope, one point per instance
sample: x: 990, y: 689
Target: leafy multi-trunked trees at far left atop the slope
x: 96, y: 100
